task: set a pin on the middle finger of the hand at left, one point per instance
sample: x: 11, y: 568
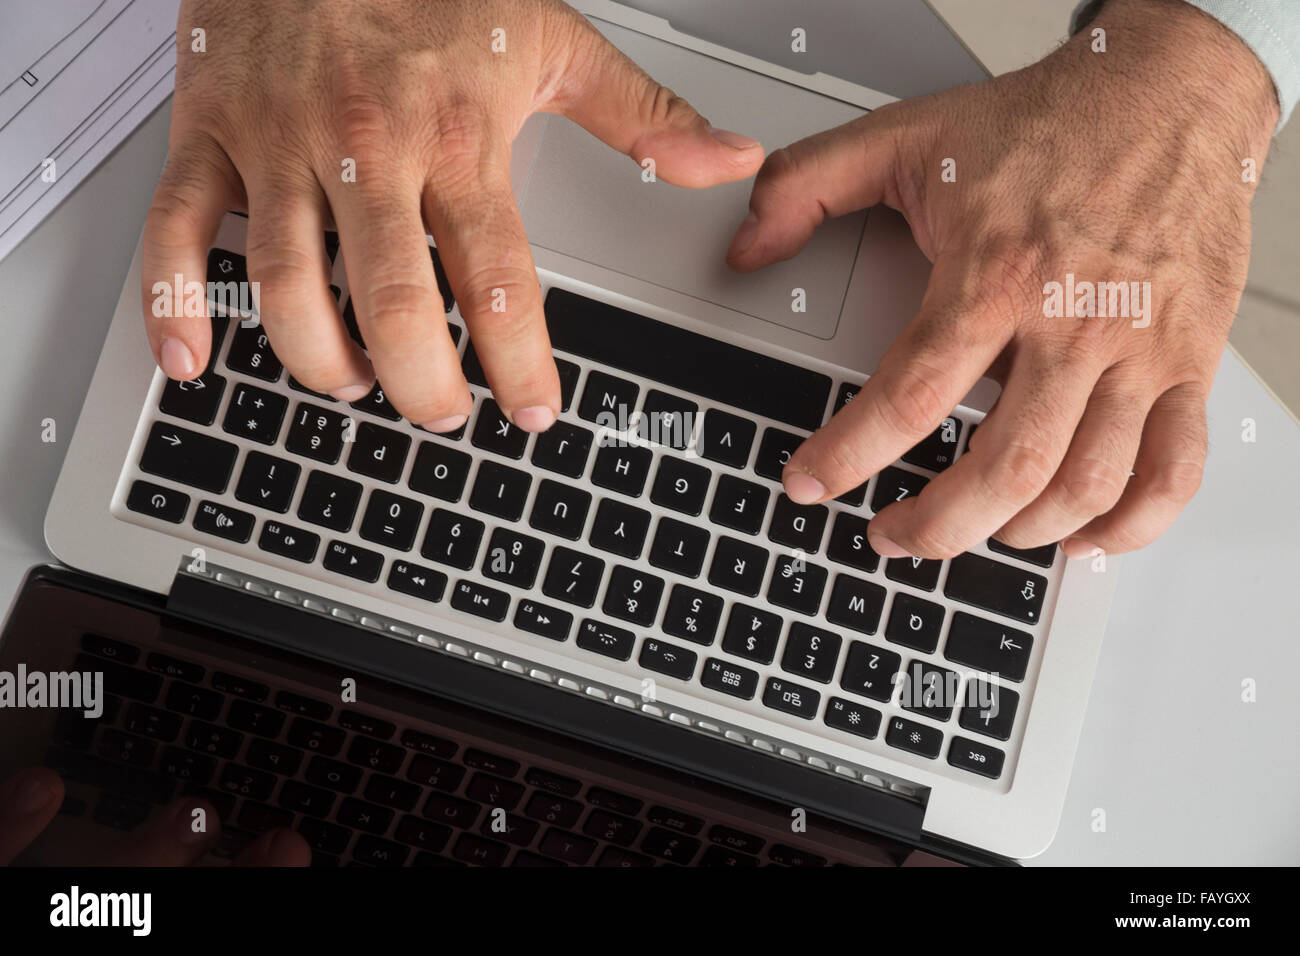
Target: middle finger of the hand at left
x: 397, y: 302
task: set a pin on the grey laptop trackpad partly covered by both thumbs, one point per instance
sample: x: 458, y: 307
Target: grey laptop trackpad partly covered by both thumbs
x: 588, y: 202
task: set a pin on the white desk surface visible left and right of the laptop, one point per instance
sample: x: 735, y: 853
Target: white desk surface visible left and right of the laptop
x: 1186, y: 772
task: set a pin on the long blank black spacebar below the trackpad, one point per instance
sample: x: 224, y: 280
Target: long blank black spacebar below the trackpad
x: 687, y: 361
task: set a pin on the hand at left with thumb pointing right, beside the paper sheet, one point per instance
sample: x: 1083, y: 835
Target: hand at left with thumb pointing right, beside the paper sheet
x: 414, y: 93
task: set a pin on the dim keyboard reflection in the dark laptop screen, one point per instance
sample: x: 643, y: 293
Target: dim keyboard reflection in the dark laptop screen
x: 358, y: 788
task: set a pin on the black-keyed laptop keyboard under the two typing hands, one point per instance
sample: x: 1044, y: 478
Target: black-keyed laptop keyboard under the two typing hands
x: 648, y: 529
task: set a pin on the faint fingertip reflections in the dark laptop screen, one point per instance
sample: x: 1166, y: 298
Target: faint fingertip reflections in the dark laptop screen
x: 31, y: 801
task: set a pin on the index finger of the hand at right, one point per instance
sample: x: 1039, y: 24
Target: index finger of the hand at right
x: 926, y: 373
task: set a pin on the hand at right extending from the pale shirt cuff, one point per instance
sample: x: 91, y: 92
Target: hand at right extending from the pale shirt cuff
x: 1124, y: 166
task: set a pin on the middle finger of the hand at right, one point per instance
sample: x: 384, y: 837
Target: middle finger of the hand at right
x: 1021, y: 449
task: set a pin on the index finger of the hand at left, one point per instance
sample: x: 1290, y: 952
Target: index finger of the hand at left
x: 491, y: 269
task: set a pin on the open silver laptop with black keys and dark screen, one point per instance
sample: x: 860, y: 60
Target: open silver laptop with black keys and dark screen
x: 614, y: 643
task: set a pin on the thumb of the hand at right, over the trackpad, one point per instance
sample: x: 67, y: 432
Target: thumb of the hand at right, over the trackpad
x: 824, y: 176
